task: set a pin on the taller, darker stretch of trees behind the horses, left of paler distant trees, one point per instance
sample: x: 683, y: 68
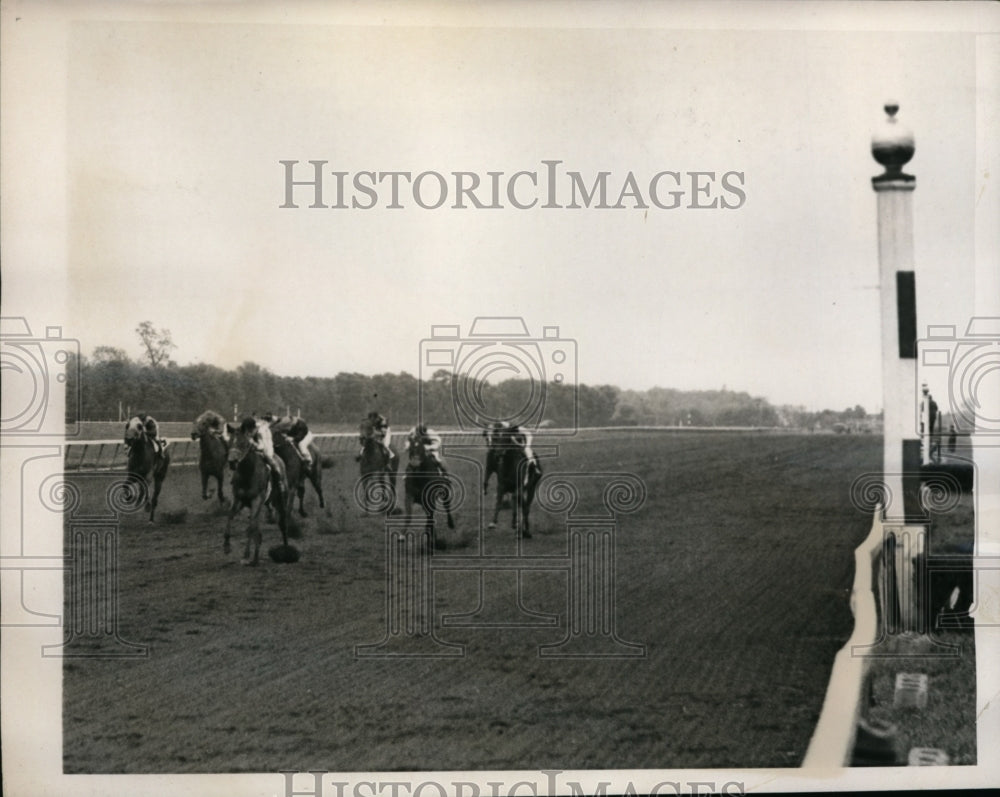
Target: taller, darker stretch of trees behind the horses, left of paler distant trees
x: 111, y: 384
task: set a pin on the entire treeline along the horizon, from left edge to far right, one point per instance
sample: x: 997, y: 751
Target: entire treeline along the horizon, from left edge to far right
x: 111, y: 385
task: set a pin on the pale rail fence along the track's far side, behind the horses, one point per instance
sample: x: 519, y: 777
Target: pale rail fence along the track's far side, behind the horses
x: 111, y: 455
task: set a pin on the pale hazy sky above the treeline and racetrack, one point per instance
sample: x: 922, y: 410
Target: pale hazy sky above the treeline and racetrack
x: 175, y: 186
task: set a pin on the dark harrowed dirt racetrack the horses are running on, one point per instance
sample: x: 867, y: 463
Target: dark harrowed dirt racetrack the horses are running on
x: 734, y: 575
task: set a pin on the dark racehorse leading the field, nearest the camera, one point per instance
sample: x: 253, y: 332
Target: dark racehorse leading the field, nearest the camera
x: 254, y: 486
